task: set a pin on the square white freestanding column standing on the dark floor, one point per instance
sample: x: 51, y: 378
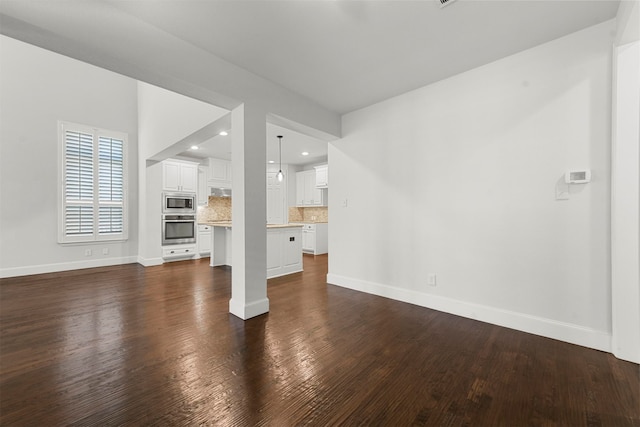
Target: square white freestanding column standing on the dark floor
x: 249, y: 241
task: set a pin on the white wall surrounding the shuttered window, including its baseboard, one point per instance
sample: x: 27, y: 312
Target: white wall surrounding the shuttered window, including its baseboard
x: 39, y: 88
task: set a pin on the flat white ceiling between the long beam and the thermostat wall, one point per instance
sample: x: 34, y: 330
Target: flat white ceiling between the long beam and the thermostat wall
x: 346, y: 55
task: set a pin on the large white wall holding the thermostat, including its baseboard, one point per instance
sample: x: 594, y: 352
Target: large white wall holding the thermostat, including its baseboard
x: 458, y: 179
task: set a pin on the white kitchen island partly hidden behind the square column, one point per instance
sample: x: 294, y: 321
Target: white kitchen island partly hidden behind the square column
x: 284, y: 247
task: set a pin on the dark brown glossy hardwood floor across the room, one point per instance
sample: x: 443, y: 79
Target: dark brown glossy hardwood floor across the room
x: 133, y: 346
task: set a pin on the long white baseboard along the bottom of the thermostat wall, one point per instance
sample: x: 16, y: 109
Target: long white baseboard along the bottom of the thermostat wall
x: 571, y: 333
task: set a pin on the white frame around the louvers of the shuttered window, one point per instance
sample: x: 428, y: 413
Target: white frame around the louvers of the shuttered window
x: 95, y: 237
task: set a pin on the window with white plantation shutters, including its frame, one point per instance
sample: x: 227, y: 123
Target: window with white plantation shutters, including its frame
x: 93, y: 193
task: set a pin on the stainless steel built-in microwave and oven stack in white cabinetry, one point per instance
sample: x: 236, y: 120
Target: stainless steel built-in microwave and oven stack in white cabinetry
x: 178, y: 218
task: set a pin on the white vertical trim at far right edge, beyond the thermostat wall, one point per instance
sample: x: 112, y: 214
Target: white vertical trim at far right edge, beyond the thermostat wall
x: 625, y: 204
